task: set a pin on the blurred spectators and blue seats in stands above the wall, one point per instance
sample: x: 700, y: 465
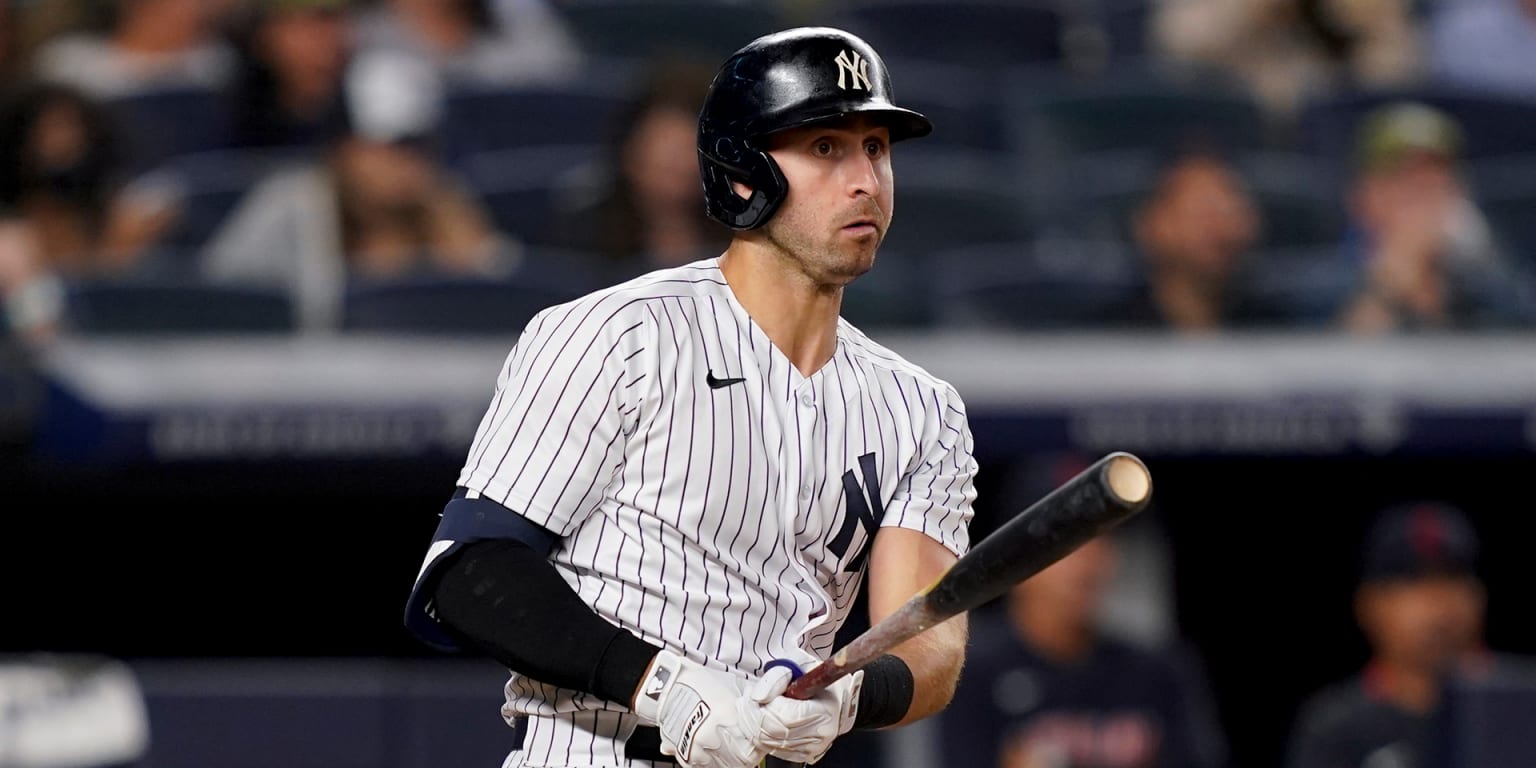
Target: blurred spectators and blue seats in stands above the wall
x: 1190, y: 165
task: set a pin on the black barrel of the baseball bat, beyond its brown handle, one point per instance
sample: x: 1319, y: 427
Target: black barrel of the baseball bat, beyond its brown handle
x: 1048, y: 531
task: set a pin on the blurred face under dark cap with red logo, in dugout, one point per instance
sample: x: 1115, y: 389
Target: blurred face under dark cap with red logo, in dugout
x: 1423, y: 624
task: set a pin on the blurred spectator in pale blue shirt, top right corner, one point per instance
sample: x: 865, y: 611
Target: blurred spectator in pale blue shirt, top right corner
x: 1488, y: 44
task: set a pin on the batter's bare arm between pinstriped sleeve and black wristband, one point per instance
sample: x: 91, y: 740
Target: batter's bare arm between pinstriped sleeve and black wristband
x: 902, y: 564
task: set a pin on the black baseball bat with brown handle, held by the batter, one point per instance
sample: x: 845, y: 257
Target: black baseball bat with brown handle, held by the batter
x: 1094, y: 502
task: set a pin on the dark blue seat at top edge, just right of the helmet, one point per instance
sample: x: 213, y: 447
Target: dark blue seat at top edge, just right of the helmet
x: 976, y: 33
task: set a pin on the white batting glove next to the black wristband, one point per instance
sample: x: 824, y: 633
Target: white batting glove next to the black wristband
x: 804, y: 730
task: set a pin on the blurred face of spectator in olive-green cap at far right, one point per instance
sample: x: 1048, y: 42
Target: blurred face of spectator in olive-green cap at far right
x: 1412, y: 190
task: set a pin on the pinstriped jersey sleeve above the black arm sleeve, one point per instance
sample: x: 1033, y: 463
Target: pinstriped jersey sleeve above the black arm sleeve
x: 554, y: 434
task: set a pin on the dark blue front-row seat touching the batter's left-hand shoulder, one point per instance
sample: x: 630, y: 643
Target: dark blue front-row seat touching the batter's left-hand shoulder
x: 455, y: 305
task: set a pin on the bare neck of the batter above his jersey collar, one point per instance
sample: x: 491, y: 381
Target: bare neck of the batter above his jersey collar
x: 799, y: 317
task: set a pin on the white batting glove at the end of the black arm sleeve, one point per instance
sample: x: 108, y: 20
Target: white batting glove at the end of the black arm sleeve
x: 704, y: 717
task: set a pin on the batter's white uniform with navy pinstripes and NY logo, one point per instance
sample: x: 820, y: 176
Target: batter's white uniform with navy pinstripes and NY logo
x: 727, y: 521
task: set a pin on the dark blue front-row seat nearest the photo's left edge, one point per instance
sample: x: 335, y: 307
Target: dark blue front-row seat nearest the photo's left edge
x: 174, y: 308
